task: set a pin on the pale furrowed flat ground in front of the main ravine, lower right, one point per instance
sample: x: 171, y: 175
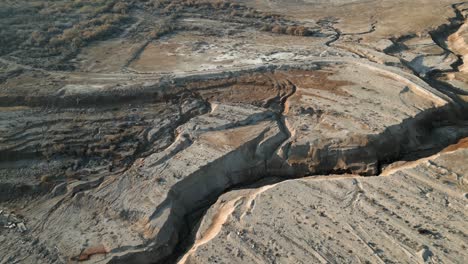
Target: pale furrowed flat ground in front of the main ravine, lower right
x: 413, y: 212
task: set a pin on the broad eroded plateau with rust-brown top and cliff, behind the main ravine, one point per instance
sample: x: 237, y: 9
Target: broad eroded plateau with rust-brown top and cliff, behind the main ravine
x: 331, y: 117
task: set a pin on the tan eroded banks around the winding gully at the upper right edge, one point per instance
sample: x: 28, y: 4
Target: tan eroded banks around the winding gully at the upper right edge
x: 438, y: 56
